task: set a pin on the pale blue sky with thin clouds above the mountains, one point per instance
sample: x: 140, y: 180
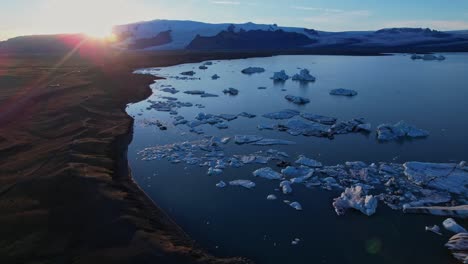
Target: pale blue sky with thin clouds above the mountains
x: 96, y: 17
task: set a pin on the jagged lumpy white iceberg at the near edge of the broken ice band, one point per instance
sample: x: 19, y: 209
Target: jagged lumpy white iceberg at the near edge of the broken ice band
x: 355, y: 197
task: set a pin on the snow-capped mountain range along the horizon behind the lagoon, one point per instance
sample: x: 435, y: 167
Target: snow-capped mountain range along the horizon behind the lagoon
x: 158, y: 35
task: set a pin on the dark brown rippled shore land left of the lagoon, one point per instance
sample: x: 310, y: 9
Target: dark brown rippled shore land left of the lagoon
x: 66, y: 195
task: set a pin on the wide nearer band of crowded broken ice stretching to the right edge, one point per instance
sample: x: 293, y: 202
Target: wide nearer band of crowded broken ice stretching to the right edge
x: 412, y: 187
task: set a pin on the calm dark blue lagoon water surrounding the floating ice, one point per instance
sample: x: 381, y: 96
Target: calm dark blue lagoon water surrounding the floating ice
x: 236, y: 221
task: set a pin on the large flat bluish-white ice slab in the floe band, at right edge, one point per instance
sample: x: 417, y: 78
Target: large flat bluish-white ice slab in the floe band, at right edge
x: 441, y: 176
